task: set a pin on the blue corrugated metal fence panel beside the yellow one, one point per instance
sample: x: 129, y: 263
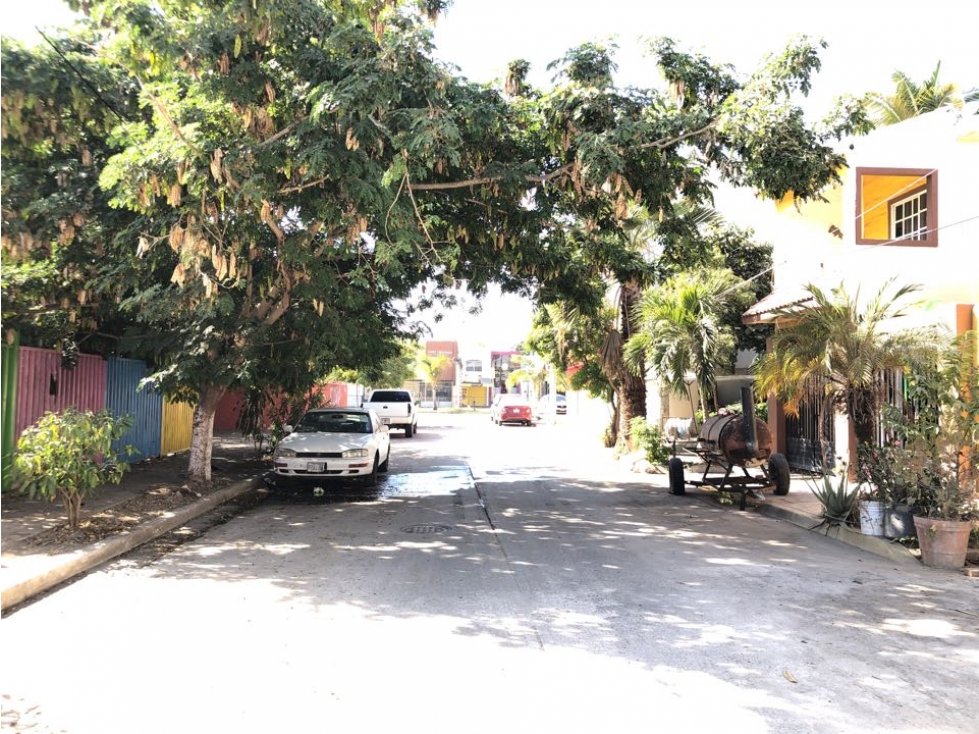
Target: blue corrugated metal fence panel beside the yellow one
x: 123, y: 397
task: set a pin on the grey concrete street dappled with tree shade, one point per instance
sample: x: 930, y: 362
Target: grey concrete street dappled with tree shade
x: 500, y: 579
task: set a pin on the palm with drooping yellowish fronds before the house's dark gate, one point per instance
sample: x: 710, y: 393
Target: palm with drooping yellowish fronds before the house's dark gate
x: 837, y: 347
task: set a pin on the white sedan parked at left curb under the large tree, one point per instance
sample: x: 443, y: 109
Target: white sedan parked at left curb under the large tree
x: 334, y: 443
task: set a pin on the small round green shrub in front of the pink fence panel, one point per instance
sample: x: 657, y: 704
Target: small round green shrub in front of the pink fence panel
x: 67, y: 456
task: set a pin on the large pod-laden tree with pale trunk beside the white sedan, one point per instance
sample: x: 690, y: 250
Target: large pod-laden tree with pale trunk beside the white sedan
x: 261, y: 180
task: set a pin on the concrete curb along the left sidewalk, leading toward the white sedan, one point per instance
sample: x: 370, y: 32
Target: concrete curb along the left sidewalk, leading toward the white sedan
x: 77, y: 563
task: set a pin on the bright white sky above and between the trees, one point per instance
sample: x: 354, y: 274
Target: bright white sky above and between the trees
x: 868, y: 41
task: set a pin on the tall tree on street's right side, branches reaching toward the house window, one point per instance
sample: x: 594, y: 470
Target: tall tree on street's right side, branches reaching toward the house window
x: 666, y: 149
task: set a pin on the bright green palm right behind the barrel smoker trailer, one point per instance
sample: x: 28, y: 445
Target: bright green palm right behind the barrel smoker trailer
x: 682, y: 330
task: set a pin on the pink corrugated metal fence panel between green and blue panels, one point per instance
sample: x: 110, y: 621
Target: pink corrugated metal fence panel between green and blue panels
x: 44, y: 385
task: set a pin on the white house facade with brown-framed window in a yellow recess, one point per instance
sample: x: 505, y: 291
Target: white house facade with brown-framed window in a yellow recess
x: 907, y: 211
